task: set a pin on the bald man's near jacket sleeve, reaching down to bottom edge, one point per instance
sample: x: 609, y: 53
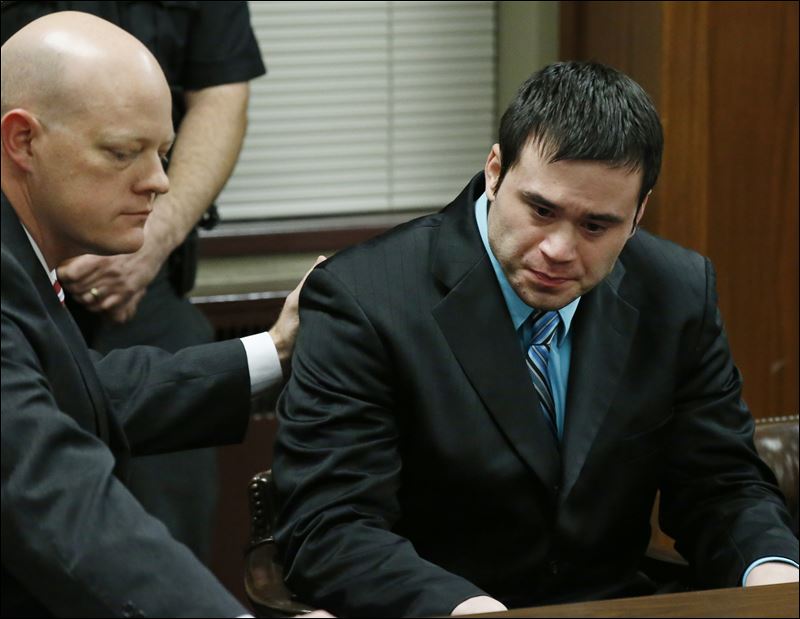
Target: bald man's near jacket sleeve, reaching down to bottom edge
x: 72, y: 534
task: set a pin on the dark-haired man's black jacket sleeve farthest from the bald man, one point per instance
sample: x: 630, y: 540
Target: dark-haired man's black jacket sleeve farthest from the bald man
x: 719, y: 499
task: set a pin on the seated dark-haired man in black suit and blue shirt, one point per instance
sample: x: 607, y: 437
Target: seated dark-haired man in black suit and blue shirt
x: 484, y: 401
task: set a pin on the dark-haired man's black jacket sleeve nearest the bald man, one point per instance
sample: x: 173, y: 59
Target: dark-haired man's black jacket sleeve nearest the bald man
x: 337, y: 470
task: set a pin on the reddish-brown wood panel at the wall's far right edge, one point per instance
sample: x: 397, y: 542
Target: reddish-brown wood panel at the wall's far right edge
x: 753, y: 202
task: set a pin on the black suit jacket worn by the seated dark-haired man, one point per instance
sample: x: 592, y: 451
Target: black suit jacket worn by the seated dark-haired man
x: 415, y: 468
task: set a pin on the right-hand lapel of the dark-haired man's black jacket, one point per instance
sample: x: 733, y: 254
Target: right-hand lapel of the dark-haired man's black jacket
x: 602, y: 335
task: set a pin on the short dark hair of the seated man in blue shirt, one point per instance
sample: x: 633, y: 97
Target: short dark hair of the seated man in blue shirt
x: 584, y: 111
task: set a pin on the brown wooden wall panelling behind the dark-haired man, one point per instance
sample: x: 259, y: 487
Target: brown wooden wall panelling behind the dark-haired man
x: 724, y: 76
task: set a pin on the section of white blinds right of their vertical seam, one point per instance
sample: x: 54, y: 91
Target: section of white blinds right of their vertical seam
x: 442, y: 74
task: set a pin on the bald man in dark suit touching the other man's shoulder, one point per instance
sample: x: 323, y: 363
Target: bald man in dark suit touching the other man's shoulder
x: 86, y: 122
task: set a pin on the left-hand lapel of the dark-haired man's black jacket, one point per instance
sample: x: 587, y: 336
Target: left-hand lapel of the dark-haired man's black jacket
x: 474, y: 319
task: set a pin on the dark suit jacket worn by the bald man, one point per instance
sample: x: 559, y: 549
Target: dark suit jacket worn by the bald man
x: 74, y: 541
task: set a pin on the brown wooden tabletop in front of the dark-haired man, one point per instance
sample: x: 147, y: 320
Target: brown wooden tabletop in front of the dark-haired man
x: 769, y: 601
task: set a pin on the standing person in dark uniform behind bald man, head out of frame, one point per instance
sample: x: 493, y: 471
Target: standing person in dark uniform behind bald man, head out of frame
x: 208, y: 52
